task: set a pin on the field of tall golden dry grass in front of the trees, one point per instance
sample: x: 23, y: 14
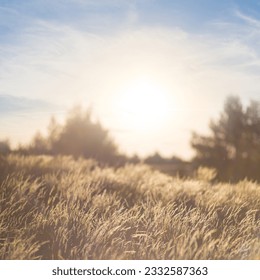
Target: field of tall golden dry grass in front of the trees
x: 59, y: 208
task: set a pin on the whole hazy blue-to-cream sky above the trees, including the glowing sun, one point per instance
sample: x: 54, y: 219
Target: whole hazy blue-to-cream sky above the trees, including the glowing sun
x: 152, y: 71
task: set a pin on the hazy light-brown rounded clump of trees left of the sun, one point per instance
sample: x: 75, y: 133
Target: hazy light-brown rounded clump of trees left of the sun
x: 79, y: 136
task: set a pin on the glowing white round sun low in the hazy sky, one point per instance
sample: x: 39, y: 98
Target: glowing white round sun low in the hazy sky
x: 143, y: 105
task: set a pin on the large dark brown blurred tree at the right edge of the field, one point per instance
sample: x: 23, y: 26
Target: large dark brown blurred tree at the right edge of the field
x: 233, y: 148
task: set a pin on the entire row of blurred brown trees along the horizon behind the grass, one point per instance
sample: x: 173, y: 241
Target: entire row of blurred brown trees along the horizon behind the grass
x: 232, y: 148
